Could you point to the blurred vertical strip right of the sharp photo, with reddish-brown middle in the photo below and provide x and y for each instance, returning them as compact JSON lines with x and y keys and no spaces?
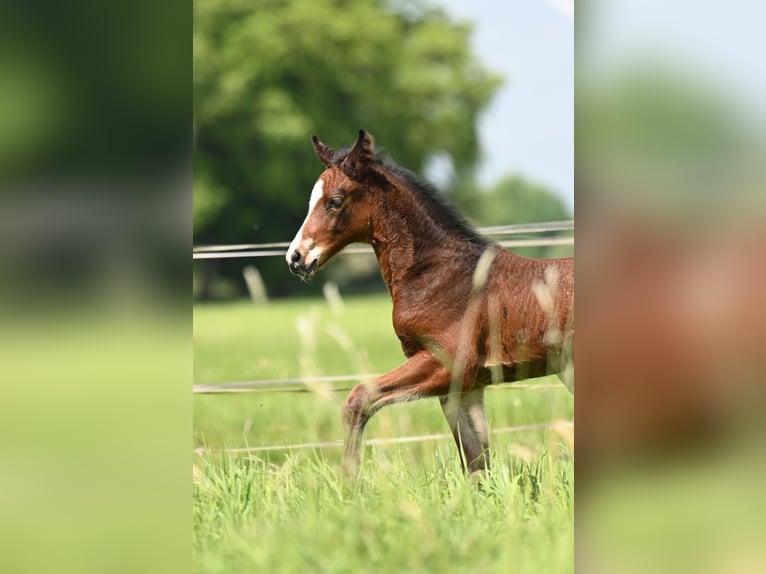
{"x":670,"y":243}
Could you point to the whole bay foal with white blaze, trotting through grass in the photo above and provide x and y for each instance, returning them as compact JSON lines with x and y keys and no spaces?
{"x":467,"y":312}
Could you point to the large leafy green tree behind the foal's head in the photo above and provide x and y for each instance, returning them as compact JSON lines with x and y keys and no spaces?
{"x":269,"y":74}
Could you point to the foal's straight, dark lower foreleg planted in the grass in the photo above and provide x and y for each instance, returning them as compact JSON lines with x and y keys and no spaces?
{"x":465,"y":414}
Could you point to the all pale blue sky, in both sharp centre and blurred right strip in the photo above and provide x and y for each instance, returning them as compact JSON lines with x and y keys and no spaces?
{"x":529,"y":127}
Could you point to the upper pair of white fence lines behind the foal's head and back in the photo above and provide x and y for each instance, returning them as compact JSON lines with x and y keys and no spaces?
{"x":273,"y":249}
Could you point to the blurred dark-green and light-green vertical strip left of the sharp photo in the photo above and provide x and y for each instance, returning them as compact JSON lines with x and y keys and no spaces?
{"x":95,"y":231}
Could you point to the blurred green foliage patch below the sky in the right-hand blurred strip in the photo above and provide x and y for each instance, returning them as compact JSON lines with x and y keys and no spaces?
{"x":665,"y":140}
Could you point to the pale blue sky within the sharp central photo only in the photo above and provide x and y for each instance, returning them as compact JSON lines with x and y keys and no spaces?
{"x":529,"y":127}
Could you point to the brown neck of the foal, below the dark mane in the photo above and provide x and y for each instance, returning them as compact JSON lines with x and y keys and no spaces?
{"x":407,"y":238}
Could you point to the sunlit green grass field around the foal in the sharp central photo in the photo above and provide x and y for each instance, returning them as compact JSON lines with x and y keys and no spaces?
{"x":411,"y":509}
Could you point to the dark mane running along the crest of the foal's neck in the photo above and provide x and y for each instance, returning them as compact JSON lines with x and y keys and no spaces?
{"x":434,"y":201}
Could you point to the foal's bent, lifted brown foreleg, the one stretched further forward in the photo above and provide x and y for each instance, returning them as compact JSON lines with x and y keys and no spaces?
{"x":421,"y":376}
